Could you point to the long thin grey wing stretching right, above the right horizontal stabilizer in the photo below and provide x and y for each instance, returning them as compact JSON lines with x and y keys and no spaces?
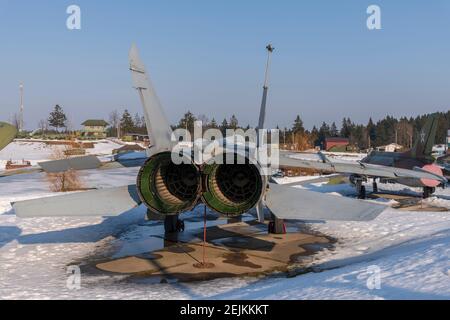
{"x":370,"y":170}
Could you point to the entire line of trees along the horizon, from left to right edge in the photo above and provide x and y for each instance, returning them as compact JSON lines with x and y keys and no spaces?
{"x":362,"y":136}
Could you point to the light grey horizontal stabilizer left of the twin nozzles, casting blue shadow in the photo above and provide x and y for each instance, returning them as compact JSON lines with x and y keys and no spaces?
{"x":102,"y":202}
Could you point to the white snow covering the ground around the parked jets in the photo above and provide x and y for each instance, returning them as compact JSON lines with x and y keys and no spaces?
{"x":405,"y":254}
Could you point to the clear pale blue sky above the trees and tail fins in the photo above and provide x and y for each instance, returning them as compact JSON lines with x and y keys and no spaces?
{"x":208,"y":56}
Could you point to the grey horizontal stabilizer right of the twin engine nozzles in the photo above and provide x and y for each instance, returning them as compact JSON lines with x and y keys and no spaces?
{"x":292,"y":203}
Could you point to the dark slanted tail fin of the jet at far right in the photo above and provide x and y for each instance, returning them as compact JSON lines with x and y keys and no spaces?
{"x":425,"y":138}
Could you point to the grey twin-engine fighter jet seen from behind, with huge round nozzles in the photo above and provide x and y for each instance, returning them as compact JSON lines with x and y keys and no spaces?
{"x":169,"y":189}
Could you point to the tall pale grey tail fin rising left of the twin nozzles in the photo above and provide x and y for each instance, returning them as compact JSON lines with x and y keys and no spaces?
{"x":158,"y":127}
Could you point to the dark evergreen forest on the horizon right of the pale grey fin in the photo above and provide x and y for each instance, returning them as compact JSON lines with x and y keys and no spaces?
{"x":362,"y":136}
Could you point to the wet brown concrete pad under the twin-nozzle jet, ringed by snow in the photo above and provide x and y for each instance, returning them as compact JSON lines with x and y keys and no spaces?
{"x":236,"y":249}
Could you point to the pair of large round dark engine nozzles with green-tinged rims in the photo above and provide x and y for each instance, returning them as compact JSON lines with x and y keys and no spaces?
{"x":230,"y":189}
